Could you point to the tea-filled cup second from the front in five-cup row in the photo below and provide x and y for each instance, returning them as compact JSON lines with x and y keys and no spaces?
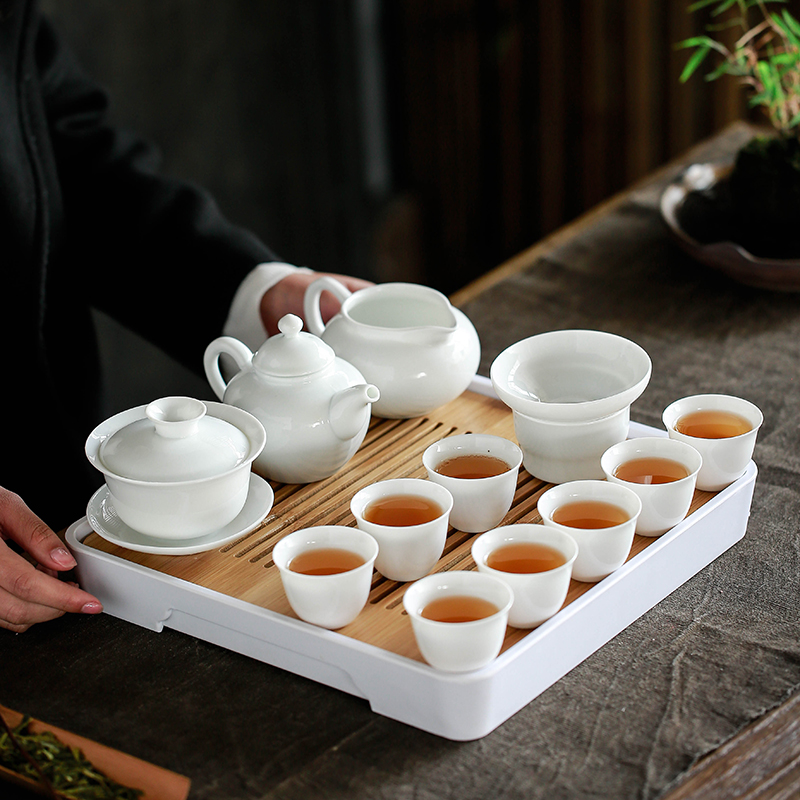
{"x":536,"y":561}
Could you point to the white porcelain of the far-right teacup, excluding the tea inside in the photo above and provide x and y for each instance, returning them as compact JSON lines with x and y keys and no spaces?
{"x":724,"y":459}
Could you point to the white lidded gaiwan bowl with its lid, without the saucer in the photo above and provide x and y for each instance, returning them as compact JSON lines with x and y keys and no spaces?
{"x":177,"y":468}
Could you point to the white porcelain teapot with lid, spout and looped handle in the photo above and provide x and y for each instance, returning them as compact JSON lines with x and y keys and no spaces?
{"x":314,"y":406}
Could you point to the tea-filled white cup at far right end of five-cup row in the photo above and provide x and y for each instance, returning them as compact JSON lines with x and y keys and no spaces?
{"x":722,"y":428}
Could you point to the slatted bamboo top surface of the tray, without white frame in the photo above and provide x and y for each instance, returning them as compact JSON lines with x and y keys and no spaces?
{"x":392,"y":449}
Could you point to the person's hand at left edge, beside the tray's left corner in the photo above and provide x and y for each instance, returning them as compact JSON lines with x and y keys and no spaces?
{"x":32,"y":592}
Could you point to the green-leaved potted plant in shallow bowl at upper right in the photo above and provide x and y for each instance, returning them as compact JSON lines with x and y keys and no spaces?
{"x":754,"y":205}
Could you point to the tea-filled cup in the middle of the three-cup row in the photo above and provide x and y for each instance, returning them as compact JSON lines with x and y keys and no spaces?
{"x":408,"y":517}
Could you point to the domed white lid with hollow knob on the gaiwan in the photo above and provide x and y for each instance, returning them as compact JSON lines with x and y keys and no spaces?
{"x":175,"y":441}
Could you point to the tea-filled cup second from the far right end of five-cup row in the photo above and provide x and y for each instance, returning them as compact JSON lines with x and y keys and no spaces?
{"x":662,"y":472}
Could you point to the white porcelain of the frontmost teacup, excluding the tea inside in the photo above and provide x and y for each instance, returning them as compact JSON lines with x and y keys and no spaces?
{"x":459,"y":646}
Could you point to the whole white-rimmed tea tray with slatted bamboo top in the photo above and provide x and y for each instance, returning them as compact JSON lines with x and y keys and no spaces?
{"x":233,"y":596}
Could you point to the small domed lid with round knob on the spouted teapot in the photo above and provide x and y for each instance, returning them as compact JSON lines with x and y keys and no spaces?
{"x":292,"y":353}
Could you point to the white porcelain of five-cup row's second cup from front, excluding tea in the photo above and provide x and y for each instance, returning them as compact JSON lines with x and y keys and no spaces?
{"x":537,"y":595}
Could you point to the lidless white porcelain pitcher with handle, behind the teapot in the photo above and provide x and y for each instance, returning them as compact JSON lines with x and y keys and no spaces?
{"x":405,"y":338}
